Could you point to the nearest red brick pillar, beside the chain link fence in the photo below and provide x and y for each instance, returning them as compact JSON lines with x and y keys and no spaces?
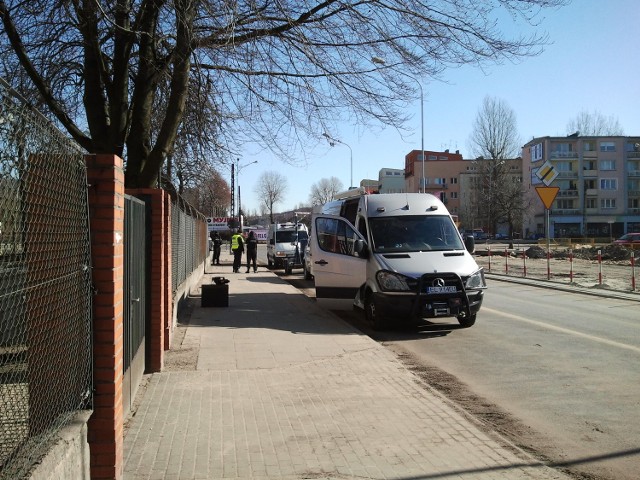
{"x":106,"y":204}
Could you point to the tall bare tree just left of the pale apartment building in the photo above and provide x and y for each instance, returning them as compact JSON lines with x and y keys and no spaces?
{"x":497,"y":196}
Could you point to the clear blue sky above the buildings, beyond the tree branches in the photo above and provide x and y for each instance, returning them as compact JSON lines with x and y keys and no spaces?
{"x":592,"y":64}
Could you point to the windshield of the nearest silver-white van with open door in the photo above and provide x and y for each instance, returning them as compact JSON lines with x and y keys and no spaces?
{"x":414,"y":233}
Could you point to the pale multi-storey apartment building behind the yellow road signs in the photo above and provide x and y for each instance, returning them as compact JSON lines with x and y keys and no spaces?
{"x":598,"y":180}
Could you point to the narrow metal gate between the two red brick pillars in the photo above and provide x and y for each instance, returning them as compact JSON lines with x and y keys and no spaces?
{"x":135,"y":301}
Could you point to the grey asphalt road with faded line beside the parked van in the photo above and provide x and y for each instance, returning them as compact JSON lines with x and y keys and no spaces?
{"x":556,"y":372}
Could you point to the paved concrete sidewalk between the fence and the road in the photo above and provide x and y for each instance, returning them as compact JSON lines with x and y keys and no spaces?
{"x":283,"y":389}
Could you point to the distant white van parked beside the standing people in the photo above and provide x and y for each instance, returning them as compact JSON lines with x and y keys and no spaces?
{"x":285,"y":245}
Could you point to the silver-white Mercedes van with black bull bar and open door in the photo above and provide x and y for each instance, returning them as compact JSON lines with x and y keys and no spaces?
{"x":398,"y":256}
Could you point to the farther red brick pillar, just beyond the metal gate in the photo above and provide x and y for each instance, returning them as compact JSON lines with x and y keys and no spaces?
{"x":157,"y":298}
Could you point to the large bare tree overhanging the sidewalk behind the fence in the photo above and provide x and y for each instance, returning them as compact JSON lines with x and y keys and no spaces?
{"x":122,"y":76}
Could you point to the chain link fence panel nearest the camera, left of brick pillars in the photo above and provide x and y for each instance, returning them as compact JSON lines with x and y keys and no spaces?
{"x":45,"y":284}
